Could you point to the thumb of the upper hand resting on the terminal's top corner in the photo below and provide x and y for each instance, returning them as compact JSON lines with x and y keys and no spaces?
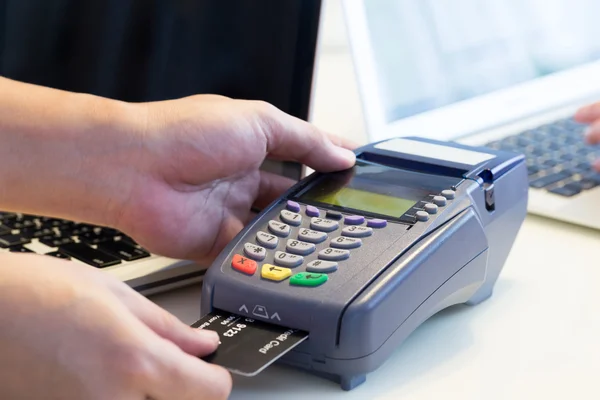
{"x":292,"y":139}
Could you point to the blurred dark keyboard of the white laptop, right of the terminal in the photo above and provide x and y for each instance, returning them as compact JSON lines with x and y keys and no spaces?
{"x":558,"y":160}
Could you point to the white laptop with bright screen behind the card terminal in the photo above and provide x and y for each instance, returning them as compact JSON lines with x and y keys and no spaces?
{"x":504,"y":74}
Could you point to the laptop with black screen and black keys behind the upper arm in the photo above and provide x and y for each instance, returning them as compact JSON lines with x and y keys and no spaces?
{"x":262,"y":51}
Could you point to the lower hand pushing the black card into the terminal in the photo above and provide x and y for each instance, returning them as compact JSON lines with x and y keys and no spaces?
{"x":74,"y":332}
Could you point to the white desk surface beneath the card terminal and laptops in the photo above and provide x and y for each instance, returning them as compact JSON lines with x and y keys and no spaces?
{"x":538,"y":337}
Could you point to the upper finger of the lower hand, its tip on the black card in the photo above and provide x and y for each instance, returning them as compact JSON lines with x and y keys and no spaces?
{"x":196,"y":342}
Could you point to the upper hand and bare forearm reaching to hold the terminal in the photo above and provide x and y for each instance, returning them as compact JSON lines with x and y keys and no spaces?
{"x":179,"y":176}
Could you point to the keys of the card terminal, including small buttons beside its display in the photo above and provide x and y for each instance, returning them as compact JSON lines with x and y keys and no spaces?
{"x":308,"y":248}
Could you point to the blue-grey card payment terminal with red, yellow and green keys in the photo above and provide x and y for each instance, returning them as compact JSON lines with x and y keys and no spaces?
{"x":360,"y":258}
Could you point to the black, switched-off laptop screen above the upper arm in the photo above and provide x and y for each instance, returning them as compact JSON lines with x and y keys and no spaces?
{"x":142,"y":50}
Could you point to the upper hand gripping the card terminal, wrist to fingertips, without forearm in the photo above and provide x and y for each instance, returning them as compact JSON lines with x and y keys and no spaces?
{"x":193,"y":181}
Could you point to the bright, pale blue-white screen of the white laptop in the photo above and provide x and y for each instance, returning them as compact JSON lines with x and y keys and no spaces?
{"x":433,"y":53}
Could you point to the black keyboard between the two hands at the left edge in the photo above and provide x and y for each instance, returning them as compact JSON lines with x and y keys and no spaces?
{"x":98,"y":246}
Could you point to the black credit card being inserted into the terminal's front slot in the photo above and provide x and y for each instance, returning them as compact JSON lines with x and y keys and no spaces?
{"x":248,"y":346}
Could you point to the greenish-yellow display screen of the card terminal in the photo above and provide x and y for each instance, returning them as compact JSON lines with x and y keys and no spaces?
{"x":370,"y":188}
